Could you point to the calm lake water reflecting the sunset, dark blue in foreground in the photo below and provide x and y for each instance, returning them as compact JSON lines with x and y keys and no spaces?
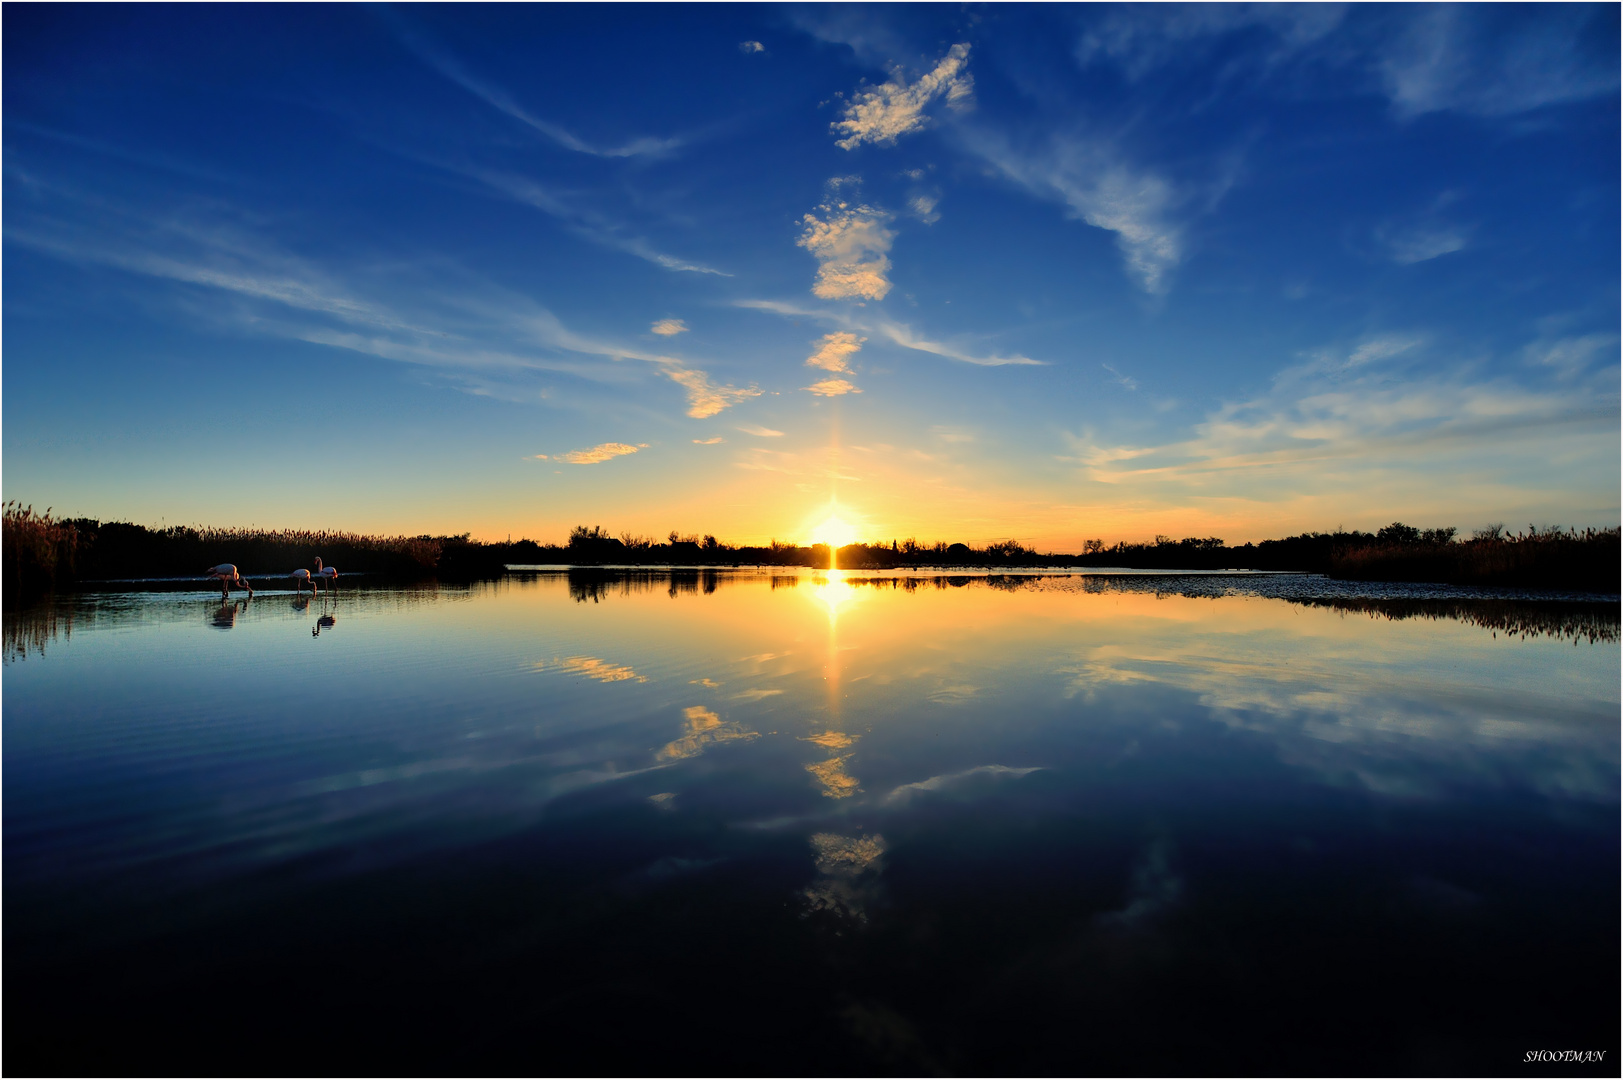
{"x":806,"y":824}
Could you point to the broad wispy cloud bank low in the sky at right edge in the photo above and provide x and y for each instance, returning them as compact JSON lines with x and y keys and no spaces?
{"x":1379,"y":430}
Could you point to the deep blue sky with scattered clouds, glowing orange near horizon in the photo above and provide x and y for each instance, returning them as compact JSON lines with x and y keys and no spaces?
{"x":965,"y":274}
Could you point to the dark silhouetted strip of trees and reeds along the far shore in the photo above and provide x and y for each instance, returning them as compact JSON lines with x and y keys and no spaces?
{"x":41,"y":551}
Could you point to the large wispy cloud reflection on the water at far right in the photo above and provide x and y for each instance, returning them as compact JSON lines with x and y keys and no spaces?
{"x":1390,"y":730}
